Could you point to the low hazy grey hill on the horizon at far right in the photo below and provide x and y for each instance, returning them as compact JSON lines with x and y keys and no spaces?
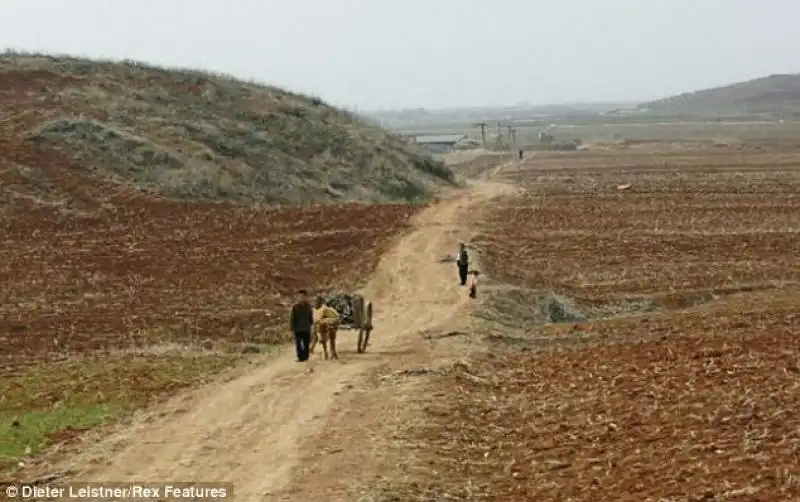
{"x":772,"y":94}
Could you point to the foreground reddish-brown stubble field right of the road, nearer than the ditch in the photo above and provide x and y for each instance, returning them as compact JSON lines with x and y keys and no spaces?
{"x":698,"y":406}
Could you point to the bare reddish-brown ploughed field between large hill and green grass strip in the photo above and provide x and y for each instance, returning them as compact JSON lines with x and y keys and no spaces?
{"x":164,"y":272}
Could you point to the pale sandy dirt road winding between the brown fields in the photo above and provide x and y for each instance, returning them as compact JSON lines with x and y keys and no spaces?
{"x":249,"y":430}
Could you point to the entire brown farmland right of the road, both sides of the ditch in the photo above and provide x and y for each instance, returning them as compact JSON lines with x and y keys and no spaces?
{"x":675,"y":377}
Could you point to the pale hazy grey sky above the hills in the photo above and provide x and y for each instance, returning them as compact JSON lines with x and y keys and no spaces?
{"x":432,"y":53}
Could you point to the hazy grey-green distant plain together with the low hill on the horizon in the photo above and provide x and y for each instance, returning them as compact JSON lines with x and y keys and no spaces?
{"x":748,"y":110}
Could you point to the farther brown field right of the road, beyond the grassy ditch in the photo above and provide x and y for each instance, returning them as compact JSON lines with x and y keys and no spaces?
{"x":718,"y":226}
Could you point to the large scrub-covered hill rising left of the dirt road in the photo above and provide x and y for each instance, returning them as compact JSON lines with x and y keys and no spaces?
{"x":194,"y":135}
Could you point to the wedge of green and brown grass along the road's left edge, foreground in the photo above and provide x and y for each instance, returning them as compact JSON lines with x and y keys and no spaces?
{"x":51,"y":403}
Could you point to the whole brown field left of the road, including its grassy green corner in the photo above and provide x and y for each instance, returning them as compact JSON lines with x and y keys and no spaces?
{"x":112,"y":298}
